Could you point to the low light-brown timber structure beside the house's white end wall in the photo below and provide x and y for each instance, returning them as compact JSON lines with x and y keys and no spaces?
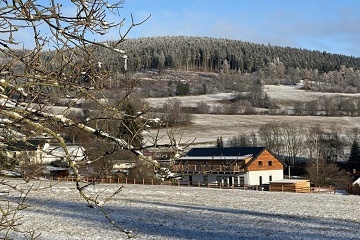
{"x":290,"y":185}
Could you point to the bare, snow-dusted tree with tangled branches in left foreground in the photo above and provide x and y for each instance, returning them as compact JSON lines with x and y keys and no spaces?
{"x":58,"y":60}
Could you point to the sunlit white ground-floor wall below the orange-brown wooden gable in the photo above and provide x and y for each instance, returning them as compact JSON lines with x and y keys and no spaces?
{"x":254,"y":176}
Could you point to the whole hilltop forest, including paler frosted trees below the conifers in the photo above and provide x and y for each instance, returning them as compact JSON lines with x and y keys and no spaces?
{"x":234,"y":59}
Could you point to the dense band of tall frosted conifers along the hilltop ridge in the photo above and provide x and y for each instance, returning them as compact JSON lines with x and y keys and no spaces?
{"x":209,"y":55}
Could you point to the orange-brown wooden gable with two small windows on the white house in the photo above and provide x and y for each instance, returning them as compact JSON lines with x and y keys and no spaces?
{"x":265,"y":157}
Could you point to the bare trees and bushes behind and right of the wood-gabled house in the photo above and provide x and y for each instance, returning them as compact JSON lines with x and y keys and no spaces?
{"x":325,"y":157}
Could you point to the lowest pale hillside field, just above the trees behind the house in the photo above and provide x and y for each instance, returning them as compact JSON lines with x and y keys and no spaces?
{"x":206,"y":128}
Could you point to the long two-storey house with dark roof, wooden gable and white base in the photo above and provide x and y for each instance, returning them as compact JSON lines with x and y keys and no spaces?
{"x":235,"y":166}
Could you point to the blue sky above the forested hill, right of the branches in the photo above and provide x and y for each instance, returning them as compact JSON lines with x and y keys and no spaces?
{"x":326,"y":25}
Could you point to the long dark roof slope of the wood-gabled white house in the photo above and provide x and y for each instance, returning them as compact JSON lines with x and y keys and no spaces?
{"x":231,"y":151}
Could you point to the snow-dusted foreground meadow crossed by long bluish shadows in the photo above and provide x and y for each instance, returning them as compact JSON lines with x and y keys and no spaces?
{"x":172,"y":212}
